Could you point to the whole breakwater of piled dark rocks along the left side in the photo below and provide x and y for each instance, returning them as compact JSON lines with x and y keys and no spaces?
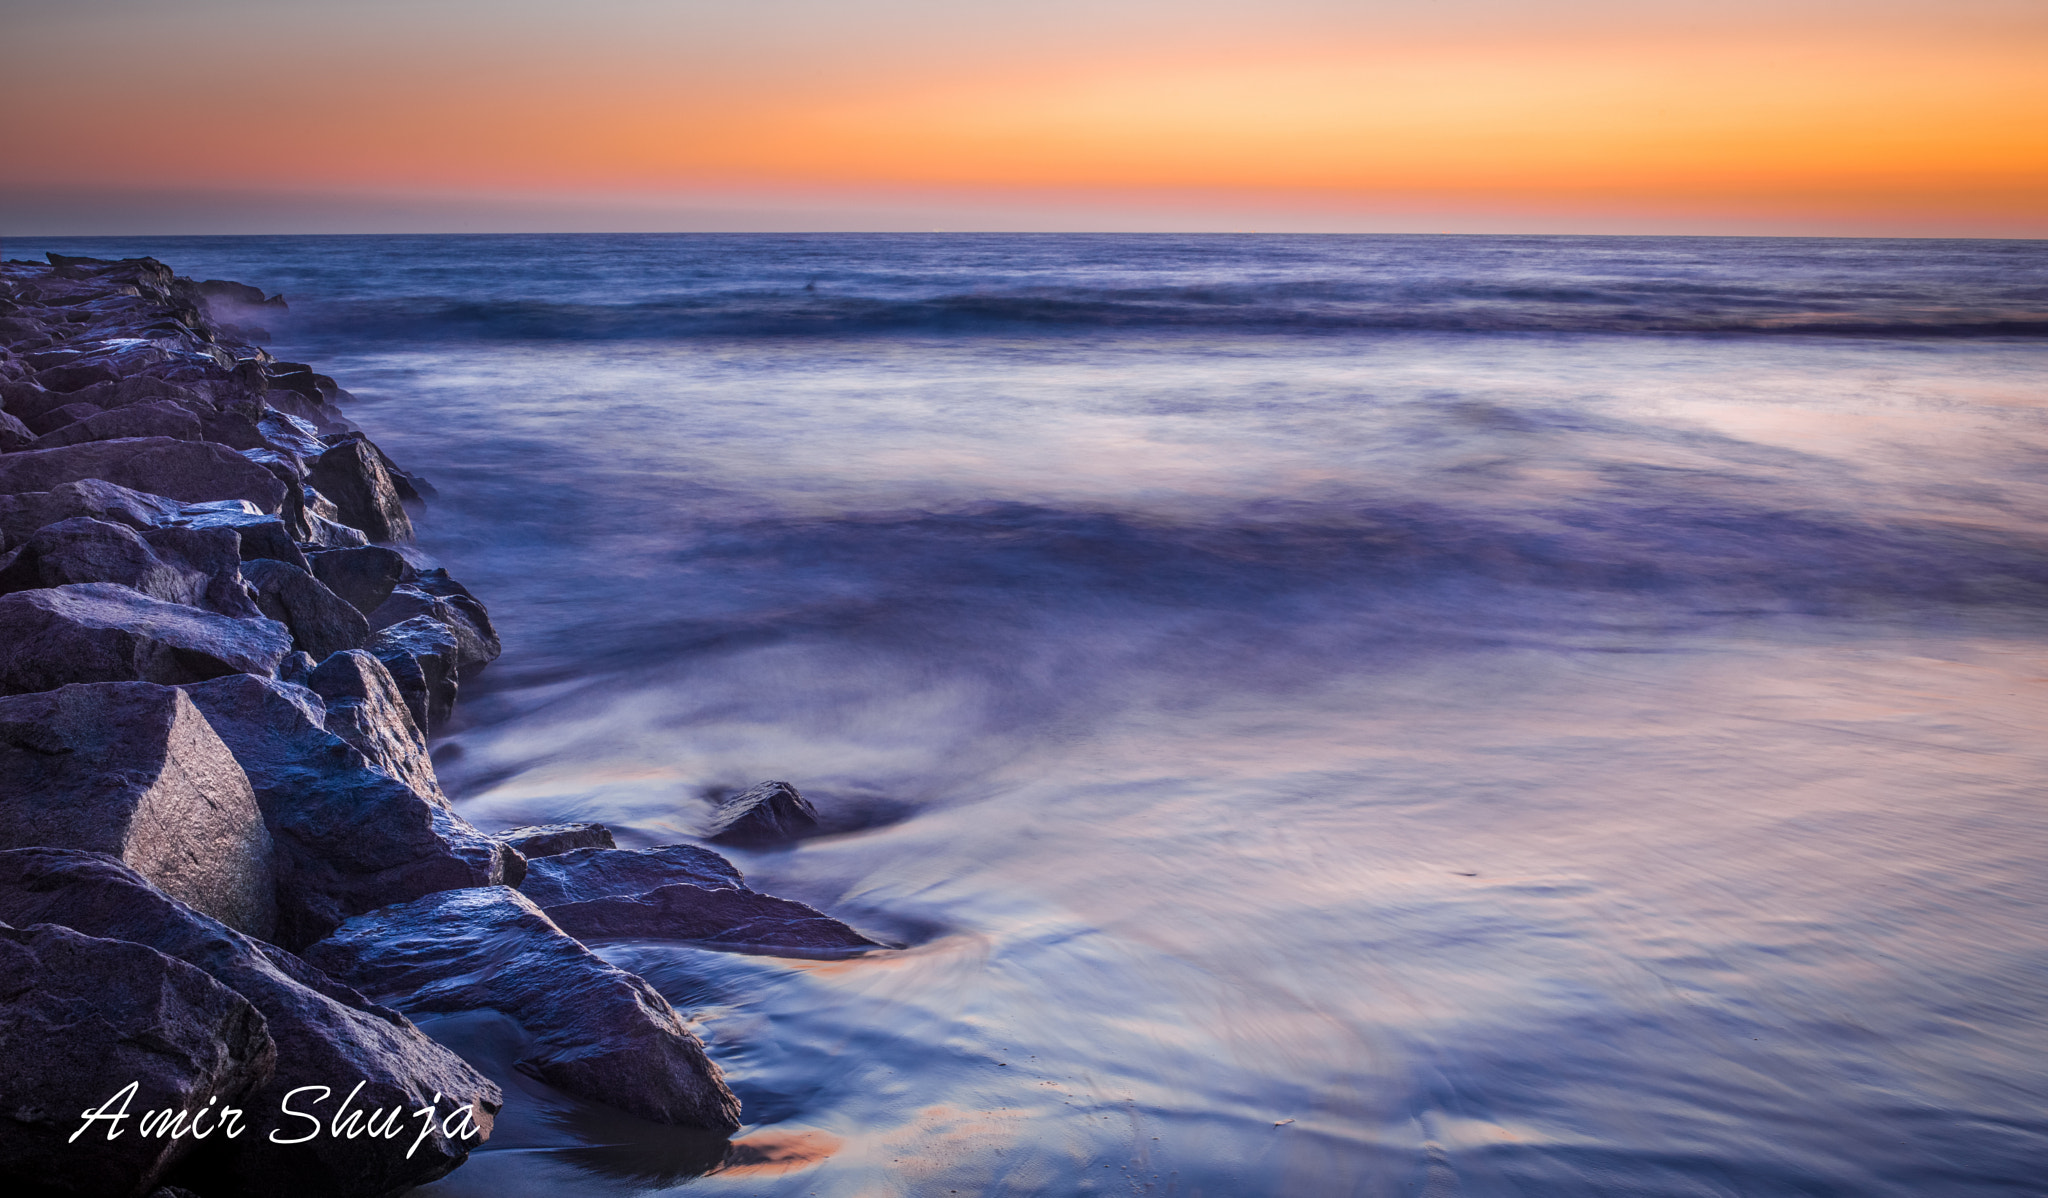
{"x":228,"y":875}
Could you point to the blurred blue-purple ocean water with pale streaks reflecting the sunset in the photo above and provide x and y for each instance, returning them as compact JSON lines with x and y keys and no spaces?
{"x":1320,"y":716}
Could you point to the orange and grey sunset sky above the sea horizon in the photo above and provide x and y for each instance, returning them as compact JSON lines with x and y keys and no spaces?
{"x":1832,"y":118}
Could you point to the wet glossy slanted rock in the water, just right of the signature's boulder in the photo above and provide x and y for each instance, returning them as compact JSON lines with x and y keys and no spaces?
{"x":599,"y":1031}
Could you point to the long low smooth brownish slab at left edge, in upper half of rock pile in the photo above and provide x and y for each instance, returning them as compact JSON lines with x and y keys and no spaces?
{"x":161,"y":466}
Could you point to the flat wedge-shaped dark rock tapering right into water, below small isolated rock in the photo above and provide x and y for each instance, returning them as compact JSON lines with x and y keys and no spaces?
{"x":679,"y":894}
